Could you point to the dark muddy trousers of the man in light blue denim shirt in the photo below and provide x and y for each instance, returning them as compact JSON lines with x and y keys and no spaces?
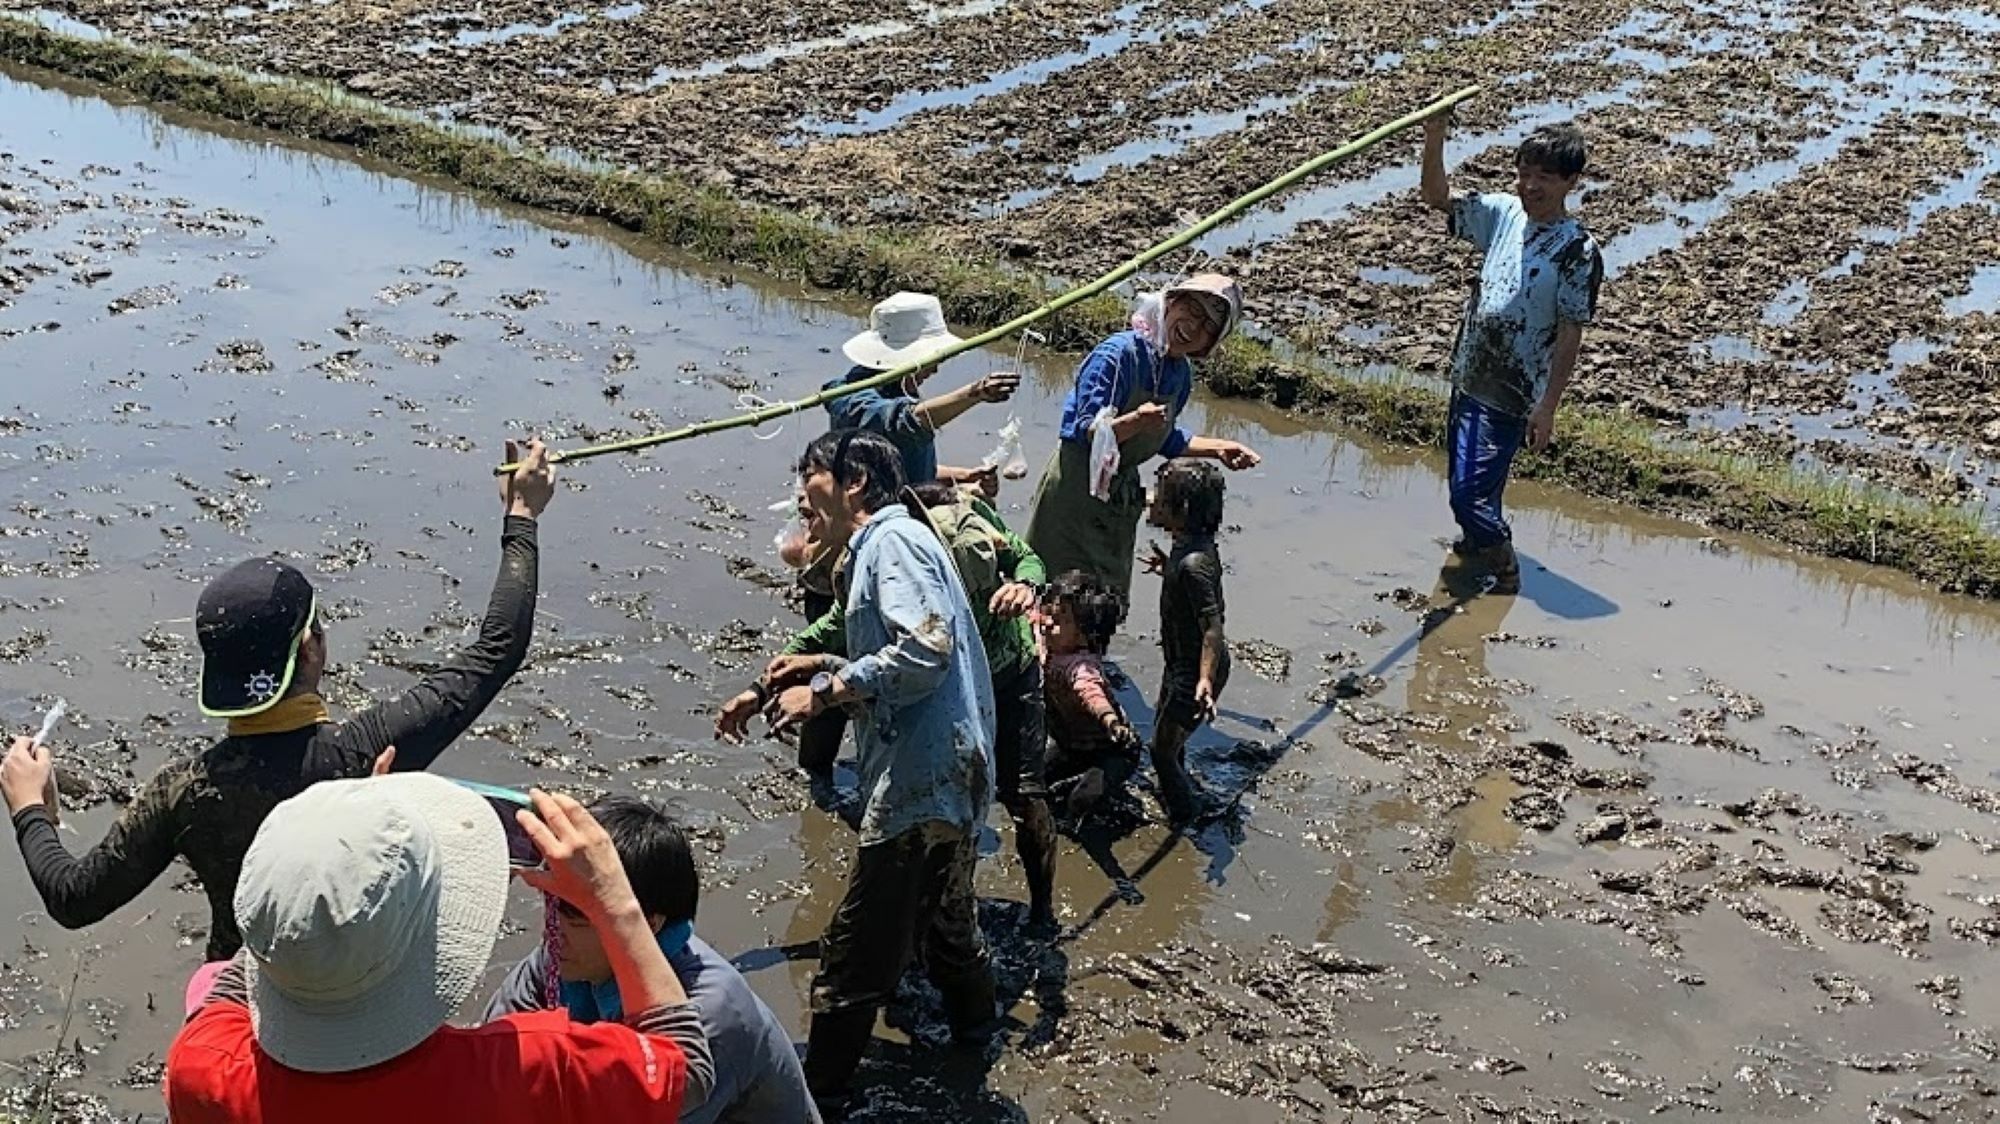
{"x":911,"y":893}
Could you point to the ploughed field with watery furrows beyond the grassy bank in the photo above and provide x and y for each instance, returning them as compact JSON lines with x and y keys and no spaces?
{"x":1799,"y":203}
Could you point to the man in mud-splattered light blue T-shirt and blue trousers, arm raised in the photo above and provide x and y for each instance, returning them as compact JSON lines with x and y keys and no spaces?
{"x":1523,"y":327}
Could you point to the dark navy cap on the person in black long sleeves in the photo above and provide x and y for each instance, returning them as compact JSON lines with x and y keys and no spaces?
{"x":251,"y":623}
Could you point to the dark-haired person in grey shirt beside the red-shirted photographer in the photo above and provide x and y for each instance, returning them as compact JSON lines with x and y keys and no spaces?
{"x":759,"y":1077}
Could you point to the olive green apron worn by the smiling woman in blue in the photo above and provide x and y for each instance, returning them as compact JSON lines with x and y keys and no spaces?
{"x":1071,"y":529}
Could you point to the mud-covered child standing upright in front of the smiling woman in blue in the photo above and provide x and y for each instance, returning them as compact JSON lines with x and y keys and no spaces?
{"x":1187,"y":503}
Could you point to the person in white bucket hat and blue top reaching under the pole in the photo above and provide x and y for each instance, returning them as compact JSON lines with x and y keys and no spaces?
{"x":901,"y":331}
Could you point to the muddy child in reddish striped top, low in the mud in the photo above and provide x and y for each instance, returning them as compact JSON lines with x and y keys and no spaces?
{"x":1097,"y":749}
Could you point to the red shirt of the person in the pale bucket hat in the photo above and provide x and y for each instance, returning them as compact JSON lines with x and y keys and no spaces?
{"x":529,"y":1069}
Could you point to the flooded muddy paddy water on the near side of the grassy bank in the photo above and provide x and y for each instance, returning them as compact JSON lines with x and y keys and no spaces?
{"x":1687,"y":831}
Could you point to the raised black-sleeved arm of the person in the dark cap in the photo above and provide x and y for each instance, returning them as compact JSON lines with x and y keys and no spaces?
{"x":437,"y":711}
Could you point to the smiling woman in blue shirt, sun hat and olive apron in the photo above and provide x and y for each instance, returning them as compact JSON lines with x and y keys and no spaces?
{"x":1135,"y":385}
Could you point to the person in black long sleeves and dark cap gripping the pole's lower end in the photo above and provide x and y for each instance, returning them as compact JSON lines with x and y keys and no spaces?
{"x":263,"y":657}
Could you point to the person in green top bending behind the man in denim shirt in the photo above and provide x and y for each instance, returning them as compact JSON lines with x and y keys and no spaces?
{"x":1001,"y":575}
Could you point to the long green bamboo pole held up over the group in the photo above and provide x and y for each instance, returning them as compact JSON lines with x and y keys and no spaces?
{"x":1053,"y":307}
